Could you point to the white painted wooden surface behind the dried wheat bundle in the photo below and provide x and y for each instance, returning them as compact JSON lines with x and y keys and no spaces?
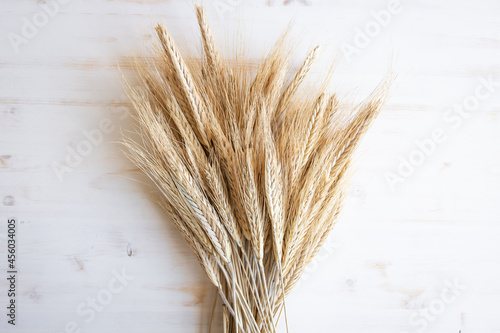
{"x":386,"y":262}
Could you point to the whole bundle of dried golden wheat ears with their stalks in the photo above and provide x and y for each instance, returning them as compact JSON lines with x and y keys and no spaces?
{"x":252,"y":167}
